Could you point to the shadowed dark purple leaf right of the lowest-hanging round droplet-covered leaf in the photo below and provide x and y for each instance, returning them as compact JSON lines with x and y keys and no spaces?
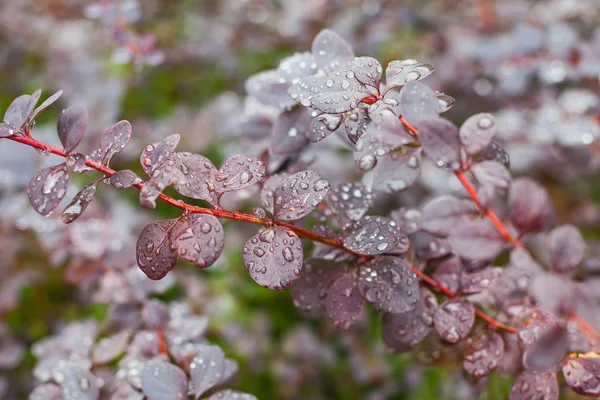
{"x":310,"y":290}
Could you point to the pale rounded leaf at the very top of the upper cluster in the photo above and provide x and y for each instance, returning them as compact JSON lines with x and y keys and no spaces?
{"x":330,"y":50}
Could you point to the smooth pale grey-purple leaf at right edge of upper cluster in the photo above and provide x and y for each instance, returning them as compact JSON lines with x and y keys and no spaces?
{"x":417,"y":102}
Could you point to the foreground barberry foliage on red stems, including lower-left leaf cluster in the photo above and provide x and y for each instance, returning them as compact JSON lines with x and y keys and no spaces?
{"x":436,"y":273}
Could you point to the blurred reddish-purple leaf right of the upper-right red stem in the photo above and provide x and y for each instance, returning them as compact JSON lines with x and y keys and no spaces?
{"x":529,"y":206}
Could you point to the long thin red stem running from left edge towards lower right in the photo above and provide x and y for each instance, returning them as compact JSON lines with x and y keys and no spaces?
{"x":222,"y":213}
